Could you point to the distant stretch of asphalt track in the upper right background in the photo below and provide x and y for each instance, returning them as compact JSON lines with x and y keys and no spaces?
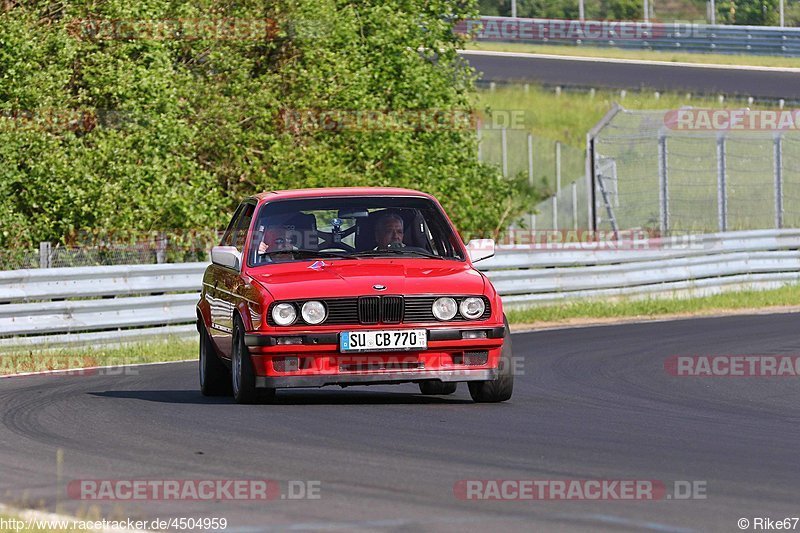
{"x":765,"y":83}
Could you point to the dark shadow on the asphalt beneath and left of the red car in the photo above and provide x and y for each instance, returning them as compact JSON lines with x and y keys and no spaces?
{"x":314,"y":397}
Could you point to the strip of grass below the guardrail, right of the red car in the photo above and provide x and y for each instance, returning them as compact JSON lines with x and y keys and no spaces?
{"x":649,"y":308}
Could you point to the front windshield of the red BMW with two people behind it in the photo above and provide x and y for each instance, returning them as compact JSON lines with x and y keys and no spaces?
{"x":354,"y":228}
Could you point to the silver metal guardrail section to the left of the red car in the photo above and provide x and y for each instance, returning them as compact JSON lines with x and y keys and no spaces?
{"x":97,"y":305}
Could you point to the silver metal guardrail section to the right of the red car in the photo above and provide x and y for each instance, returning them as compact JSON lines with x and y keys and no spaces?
{"x":698,"y":266}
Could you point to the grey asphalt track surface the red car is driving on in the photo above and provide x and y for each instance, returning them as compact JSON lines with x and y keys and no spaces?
{"x":593,"y":403}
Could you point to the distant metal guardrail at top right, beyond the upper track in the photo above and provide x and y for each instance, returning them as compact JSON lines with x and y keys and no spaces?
{"x":677,"y":36}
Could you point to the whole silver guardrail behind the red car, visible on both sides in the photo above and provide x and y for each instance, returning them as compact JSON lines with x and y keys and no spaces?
{"x":106,"y":305}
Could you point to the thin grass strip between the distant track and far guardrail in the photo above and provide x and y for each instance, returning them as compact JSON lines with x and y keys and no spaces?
{"x":651,"y":55}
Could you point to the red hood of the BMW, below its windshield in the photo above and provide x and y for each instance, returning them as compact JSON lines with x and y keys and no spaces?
{"x":341,"y":278}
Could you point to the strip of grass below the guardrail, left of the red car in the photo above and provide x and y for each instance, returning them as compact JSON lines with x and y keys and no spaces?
{"x":64,"y":358}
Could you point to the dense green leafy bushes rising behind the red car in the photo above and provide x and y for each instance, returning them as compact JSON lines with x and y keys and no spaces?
{"x":171,"y":132}
